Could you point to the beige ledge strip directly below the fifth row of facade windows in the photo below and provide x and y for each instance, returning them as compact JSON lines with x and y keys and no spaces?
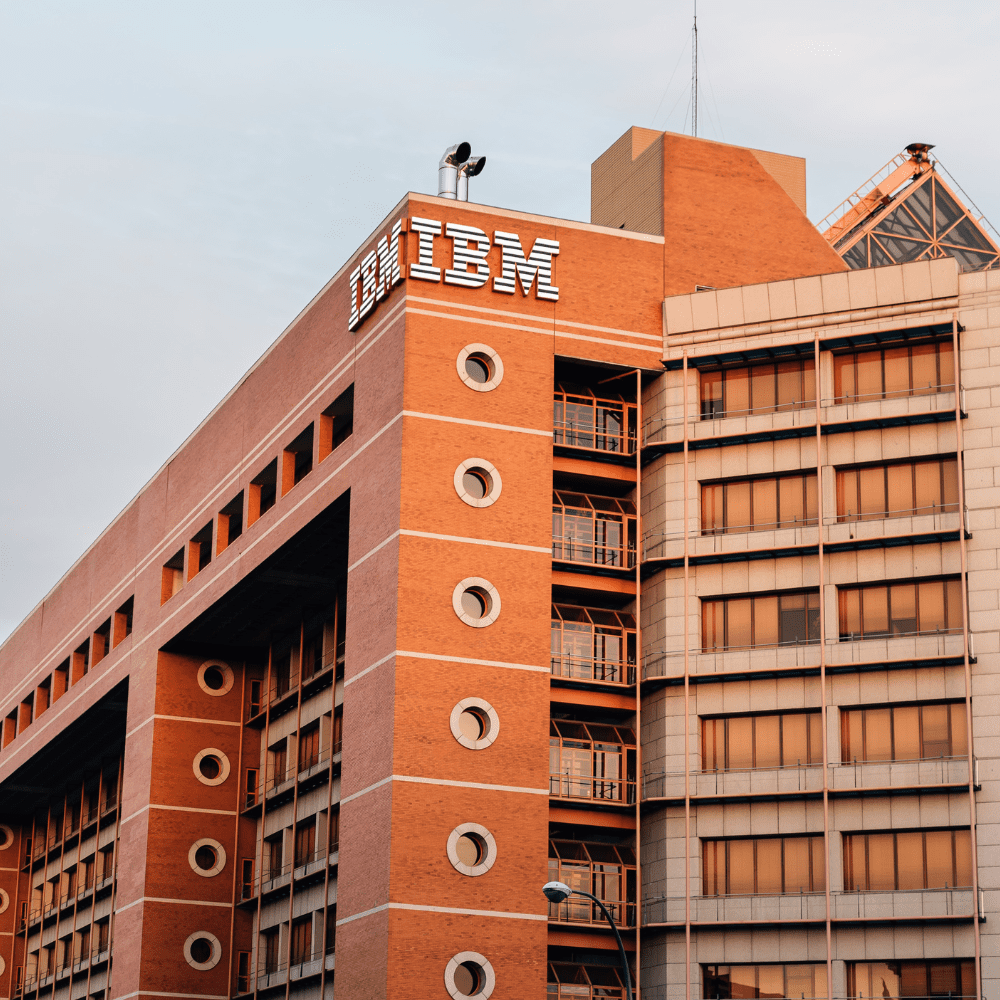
{"x":917,"y":904}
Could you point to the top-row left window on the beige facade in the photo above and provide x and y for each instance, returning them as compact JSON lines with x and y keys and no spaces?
{"x":736,"y":392}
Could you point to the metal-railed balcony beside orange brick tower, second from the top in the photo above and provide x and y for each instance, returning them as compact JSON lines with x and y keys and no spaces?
{"x":593,"y":531}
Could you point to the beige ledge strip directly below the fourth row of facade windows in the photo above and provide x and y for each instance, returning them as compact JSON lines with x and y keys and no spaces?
{"x":844,"y":778}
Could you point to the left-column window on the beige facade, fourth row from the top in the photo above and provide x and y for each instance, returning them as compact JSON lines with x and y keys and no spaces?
{"x":749,"y":741}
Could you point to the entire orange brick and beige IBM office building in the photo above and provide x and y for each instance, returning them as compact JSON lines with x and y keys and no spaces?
{"x":655,"y":555}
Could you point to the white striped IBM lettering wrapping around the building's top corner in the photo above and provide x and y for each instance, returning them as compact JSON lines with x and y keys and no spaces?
{"x":380,"y":271}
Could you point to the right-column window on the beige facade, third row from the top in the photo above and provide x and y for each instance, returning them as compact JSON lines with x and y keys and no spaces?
{"x":879,"y":611}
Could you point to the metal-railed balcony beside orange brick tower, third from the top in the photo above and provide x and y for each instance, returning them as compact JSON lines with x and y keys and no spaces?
{"x":593,"y":644}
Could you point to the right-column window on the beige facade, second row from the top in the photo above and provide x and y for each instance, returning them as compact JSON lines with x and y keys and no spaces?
{"x":902,"y":489}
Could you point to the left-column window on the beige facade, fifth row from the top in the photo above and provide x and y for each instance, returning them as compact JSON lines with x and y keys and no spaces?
{"x":763,"y":866}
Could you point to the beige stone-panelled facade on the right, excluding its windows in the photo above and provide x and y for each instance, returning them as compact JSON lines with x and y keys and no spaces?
{"x":687,"y":801}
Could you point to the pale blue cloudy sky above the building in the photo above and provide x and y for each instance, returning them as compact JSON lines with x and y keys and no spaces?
{"x":178,"y":178}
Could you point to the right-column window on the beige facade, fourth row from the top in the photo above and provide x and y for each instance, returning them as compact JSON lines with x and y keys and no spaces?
{"x":903,"y":732}
